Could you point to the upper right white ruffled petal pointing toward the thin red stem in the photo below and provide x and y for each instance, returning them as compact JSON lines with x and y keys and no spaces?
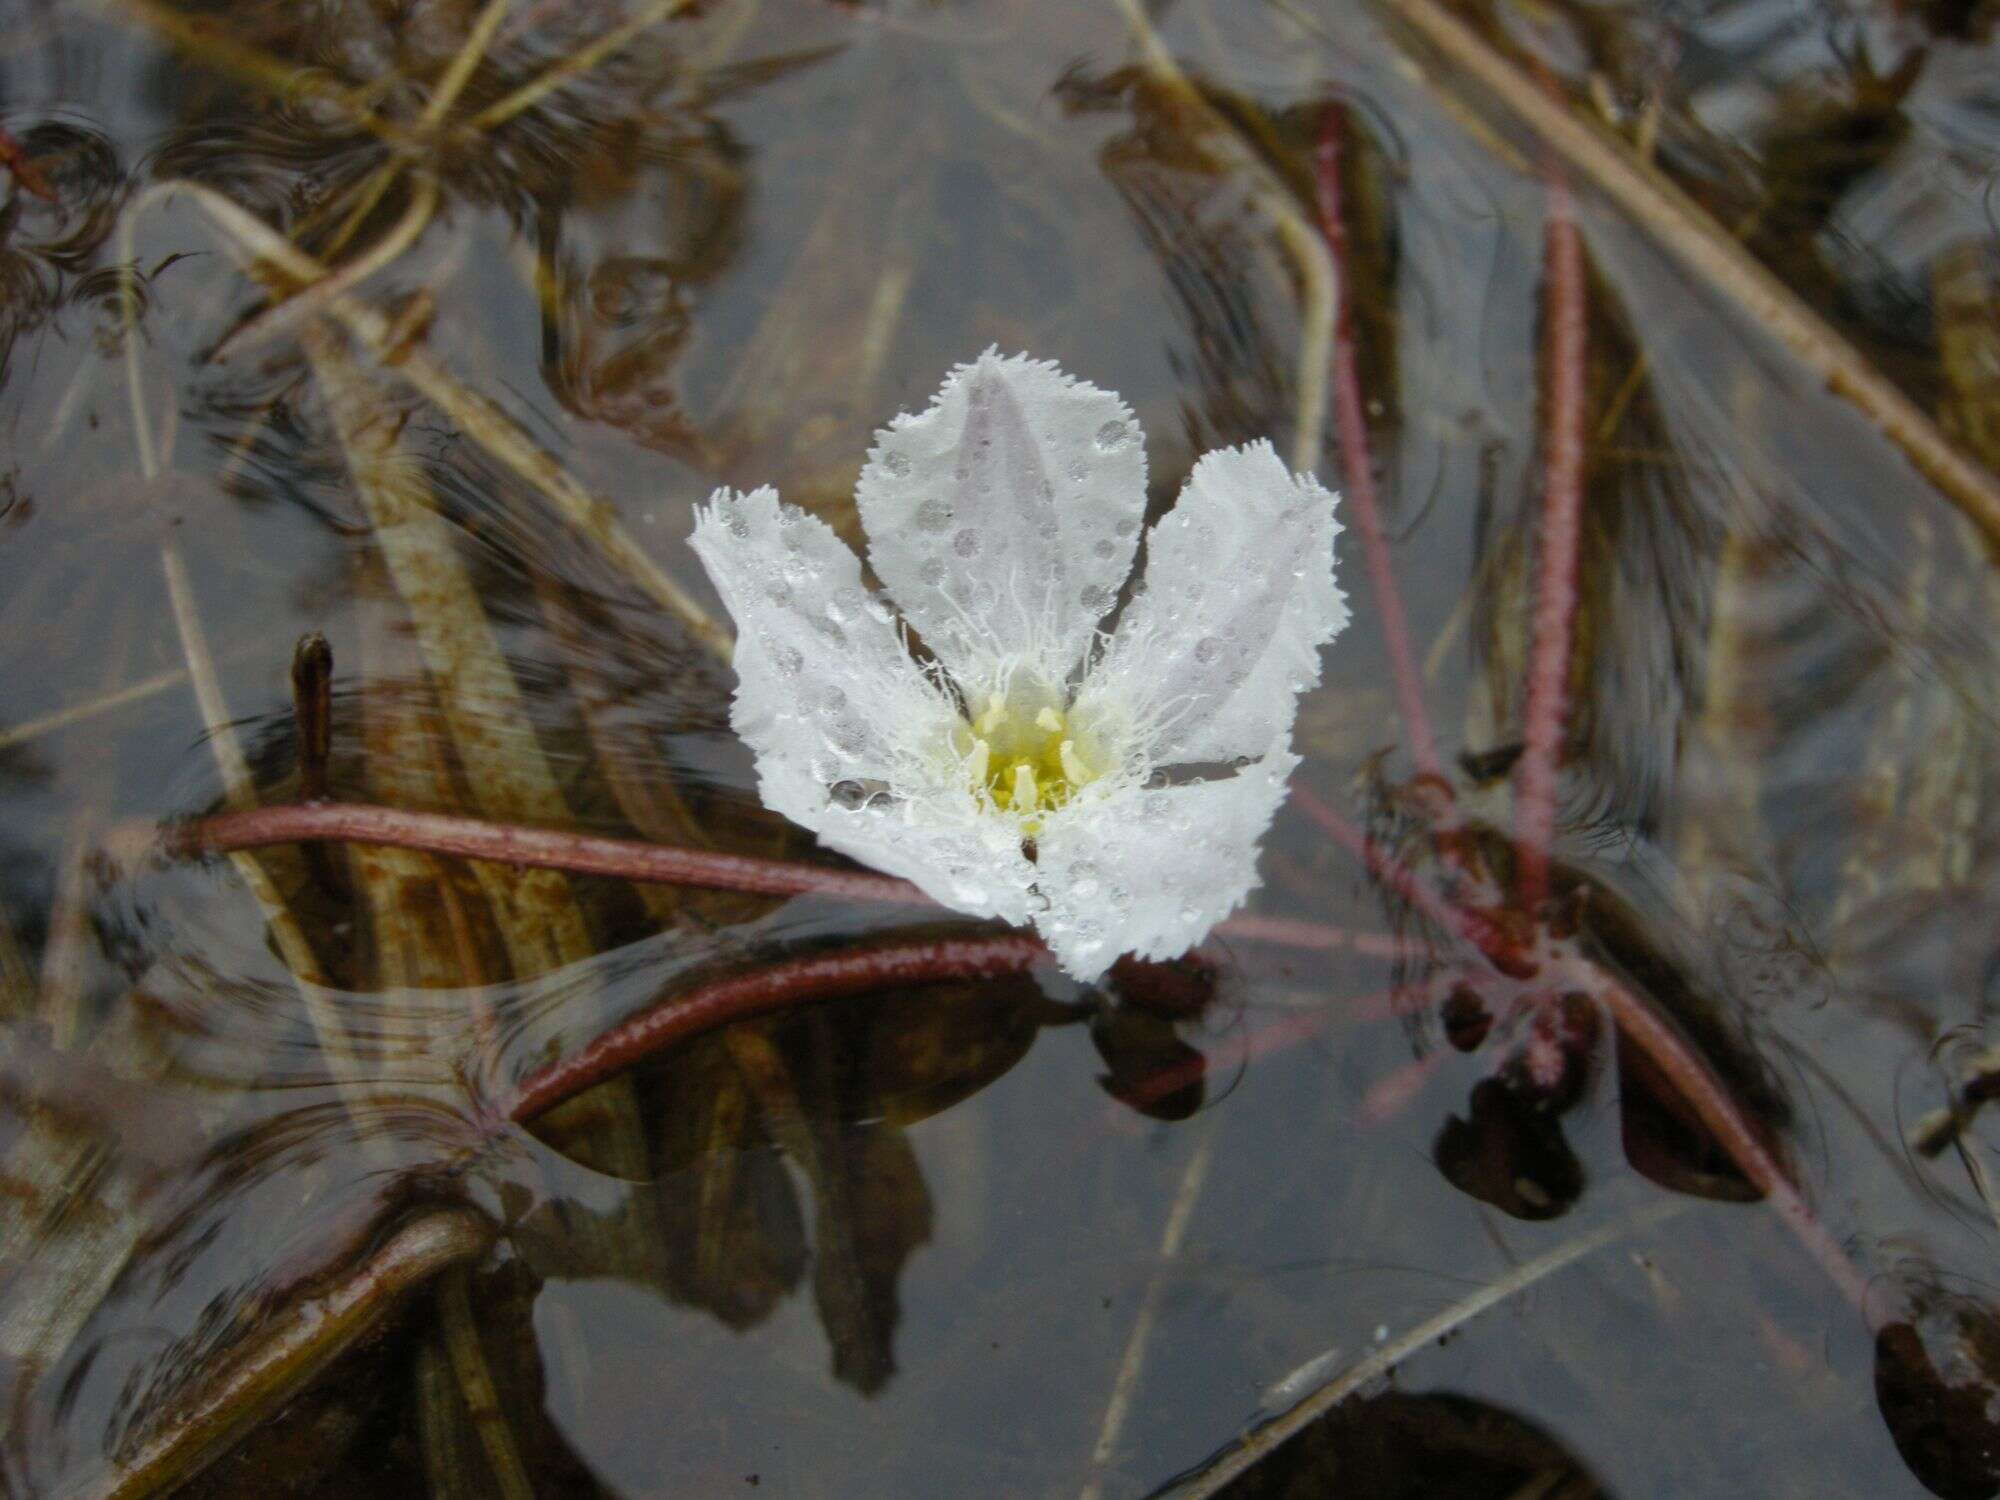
{"x":1227,"y":629}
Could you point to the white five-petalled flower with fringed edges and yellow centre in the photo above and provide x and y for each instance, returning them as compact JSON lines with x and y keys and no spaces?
{"x":1107,"y":789}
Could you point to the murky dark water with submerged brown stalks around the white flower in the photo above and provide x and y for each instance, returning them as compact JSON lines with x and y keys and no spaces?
{"x":267,"y":1229}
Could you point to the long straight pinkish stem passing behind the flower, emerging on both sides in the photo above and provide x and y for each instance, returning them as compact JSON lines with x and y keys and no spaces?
{"x":631,"y":859}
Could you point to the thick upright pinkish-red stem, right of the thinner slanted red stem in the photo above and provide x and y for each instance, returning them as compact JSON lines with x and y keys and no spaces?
{"x":1563,"y":503}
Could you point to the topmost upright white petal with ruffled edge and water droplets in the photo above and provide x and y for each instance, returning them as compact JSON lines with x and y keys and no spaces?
{"x":1005,"y":517}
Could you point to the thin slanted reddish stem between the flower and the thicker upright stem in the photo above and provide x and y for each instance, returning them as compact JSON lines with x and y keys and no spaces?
{"x":1351,"y":425}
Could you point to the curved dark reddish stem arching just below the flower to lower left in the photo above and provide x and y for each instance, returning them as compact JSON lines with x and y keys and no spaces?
{"x":779,"y":987}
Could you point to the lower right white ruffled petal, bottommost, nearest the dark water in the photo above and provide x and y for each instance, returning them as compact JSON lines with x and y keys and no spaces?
{"x":1151,"y":871}
